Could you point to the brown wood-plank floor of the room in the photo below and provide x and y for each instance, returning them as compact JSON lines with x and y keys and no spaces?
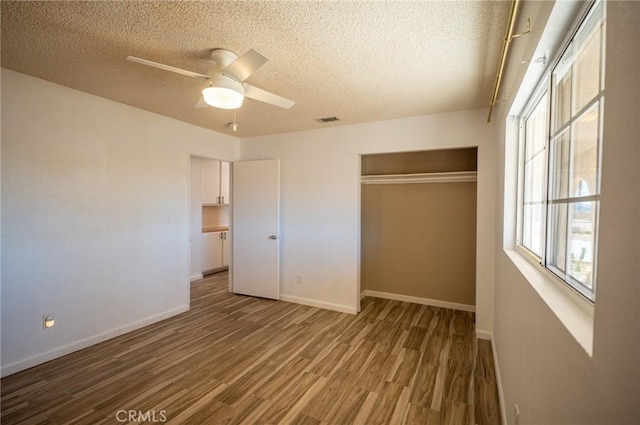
{"x":240,"y":360}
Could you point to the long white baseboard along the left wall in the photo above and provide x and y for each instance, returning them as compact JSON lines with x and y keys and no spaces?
{"x":86,"y":342}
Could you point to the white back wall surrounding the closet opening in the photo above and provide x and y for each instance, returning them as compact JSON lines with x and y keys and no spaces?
{"x":320,"y":204}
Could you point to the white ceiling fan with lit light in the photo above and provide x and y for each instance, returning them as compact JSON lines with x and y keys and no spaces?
{"x":227,"y":88}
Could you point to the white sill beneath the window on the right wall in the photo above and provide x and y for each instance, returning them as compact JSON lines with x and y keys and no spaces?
{"x":575,"y":314}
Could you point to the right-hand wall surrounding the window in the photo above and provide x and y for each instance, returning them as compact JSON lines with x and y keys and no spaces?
{"x":543,"y":368}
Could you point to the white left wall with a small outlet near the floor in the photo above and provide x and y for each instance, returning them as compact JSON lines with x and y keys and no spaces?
{"x":95,"y":217}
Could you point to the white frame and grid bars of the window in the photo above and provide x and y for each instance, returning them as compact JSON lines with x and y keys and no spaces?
{"x":547,"y":87}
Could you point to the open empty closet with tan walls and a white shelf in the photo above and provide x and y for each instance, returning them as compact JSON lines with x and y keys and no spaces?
{"x":418,"y":227}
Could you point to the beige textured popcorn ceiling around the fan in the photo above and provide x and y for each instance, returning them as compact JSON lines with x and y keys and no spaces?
{"x":360,"y":61}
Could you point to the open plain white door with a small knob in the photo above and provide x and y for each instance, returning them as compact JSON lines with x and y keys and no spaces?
{"x":255,"y":219}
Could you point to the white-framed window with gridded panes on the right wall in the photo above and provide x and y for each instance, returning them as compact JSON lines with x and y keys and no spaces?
{"x":561,"y":141}
